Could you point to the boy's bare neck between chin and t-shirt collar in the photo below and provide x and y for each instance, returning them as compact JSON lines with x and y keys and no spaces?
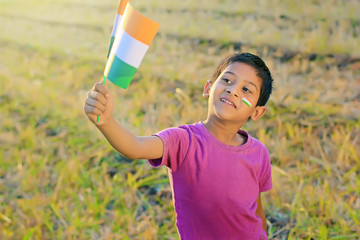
{"x":225,"y":132}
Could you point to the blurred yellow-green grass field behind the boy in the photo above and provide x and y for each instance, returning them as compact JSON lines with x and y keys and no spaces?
{"x":60,"y":179}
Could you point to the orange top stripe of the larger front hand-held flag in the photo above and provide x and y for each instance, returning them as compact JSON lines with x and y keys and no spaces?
{"x":138,"y":26}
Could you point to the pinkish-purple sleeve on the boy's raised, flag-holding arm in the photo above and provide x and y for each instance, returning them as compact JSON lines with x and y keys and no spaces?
{"x":176,"y":145}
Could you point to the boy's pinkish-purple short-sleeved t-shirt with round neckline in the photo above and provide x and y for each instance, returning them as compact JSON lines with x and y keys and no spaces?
{"x":214,"y":185}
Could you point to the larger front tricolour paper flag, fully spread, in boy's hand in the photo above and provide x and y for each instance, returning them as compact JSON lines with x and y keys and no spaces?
{"x":133,"y":37}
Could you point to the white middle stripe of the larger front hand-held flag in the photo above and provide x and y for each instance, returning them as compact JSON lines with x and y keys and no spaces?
{"x":129,"y":49}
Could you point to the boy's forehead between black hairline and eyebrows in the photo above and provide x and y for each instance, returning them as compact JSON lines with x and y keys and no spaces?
{"x":242,"y":71}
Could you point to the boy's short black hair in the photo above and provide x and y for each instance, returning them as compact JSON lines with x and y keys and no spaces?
{"x":258,"y":64}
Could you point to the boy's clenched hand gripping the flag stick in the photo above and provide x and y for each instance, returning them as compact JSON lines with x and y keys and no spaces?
{"x":99,"y":102}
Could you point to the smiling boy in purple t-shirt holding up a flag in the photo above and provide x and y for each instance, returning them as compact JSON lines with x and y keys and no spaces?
{"x":216,"y":170}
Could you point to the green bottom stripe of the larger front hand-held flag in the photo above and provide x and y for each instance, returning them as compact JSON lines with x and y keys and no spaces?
{"x":121,"y":73}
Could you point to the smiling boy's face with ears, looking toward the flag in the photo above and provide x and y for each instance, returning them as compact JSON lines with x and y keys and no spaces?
{"x":236,"y":82}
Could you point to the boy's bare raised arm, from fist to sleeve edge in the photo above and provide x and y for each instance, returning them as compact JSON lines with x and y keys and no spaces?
{"x":101,"y":102}
